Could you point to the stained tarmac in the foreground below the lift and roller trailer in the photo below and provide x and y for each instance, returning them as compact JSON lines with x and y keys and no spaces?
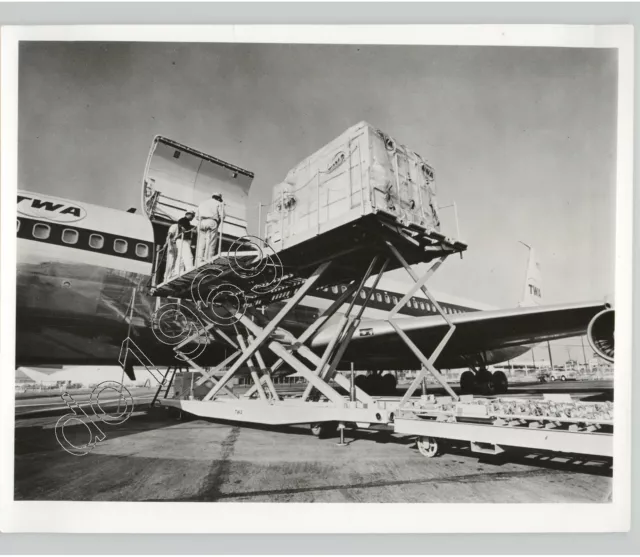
{"x":154,"y":458}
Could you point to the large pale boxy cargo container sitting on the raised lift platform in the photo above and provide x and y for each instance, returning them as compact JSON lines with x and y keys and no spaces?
{"x":362,"y":171}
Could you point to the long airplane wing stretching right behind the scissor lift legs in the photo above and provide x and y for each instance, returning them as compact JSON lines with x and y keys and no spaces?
{"x":481,"y":337}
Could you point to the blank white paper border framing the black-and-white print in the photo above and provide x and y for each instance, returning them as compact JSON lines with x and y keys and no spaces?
{"x":122,"y":517}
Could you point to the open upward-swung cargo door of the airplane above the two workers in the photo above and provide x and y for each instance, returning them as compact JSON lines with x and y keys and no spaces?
{"x":177,"y":178}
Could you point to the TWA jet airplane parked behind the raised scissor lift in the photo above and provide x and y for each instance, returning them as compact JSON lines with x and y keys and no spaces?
{"x":84,"y":274}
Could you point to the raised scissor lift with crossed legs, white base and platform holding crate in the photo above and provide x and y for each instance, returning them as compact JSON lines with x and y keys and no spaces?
{"x":369,"y":247}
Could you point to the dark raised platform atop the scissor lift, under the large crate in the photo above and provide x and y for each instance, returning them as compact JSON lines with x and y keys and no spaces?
{"x":350,"y":249}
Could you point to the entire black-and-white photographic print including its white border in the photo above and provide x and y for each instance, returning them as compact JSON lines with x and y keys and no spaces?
{"x":316,"y":271}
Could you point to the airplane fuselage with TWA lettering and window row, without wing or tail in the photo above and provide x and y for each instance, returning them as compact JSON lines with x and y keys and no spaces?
{"x":83,"y":275}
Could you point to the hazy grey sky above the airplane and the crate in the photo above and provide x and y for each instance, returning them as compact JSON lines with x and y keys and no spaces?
{"x":522,"y":139}
